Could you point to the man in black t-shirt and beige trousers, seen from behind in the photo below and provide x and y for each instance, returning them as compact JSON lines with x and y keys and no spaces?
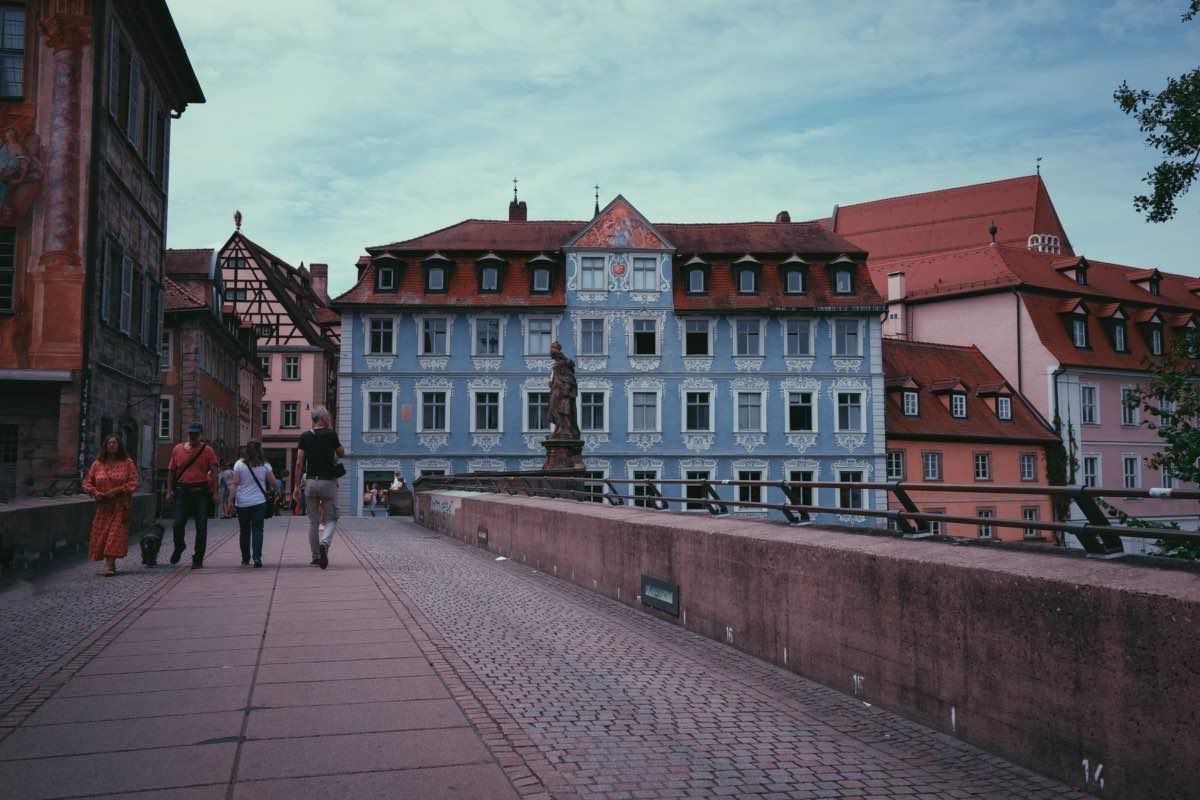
{"x":317,"y":466}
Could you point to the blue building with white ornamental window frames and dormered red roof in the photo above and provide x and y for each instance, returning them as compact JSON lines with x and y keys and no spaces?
{"x":734,"y":351}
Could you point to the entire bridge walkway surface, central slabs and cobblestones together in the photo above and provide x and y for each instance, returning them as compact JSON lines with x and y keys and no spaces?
{"x":417,"y":667}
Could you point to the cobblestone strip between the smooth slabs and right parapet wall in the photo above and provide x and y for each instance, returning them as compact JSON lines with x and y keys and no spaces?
{"x":596,"y":700}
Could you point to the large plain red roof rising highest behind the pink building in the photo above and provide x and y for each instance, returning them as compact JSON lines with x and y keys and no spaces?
{"x":953,"y":219}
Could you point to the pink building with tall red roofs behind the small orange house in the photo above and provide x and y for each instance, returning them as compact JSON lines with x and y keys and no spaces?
{"x":1069,"y":333}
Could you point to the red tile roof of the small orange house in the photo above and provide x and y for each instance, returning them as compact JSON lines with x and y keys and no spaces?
{"x":935,"y":365}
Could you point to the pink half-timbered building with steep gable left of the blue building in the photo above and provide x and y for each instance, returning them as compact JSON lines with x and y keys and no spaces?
{"x":298,"y":340}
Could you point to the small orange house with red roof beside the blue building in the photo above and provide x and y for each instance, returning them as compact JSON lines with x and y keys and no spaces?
{"x":953,"y":419}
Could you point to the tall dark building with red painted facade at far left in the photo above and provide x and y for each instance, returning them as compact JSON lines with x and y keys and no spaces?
{"x":88,"y":93}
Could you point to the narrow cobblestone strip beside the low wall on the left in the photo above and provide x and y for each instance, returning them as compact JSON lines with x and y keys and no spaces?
{"x":47,"y":612}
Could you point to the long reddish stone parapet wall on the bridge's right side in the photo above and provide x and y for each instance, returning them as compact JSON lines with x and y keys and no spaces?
{"x":1083,"y":670}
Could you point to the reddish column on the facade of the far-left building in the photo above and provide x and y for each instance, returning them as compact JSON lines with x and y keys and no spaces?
{"x":67,"y":37}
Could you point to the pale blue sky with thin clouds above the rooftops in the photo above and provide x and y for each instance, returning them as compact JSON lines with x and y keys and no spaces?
{"x":335,"y":125}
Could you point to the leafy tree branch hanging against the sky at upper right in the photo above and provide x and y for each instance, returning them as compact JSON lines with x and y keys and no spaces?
{"x":1171,"y":119}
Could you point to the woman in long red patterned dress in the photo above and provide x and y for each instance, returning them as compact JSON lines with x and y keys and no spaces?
{"x":112,"y":480}
